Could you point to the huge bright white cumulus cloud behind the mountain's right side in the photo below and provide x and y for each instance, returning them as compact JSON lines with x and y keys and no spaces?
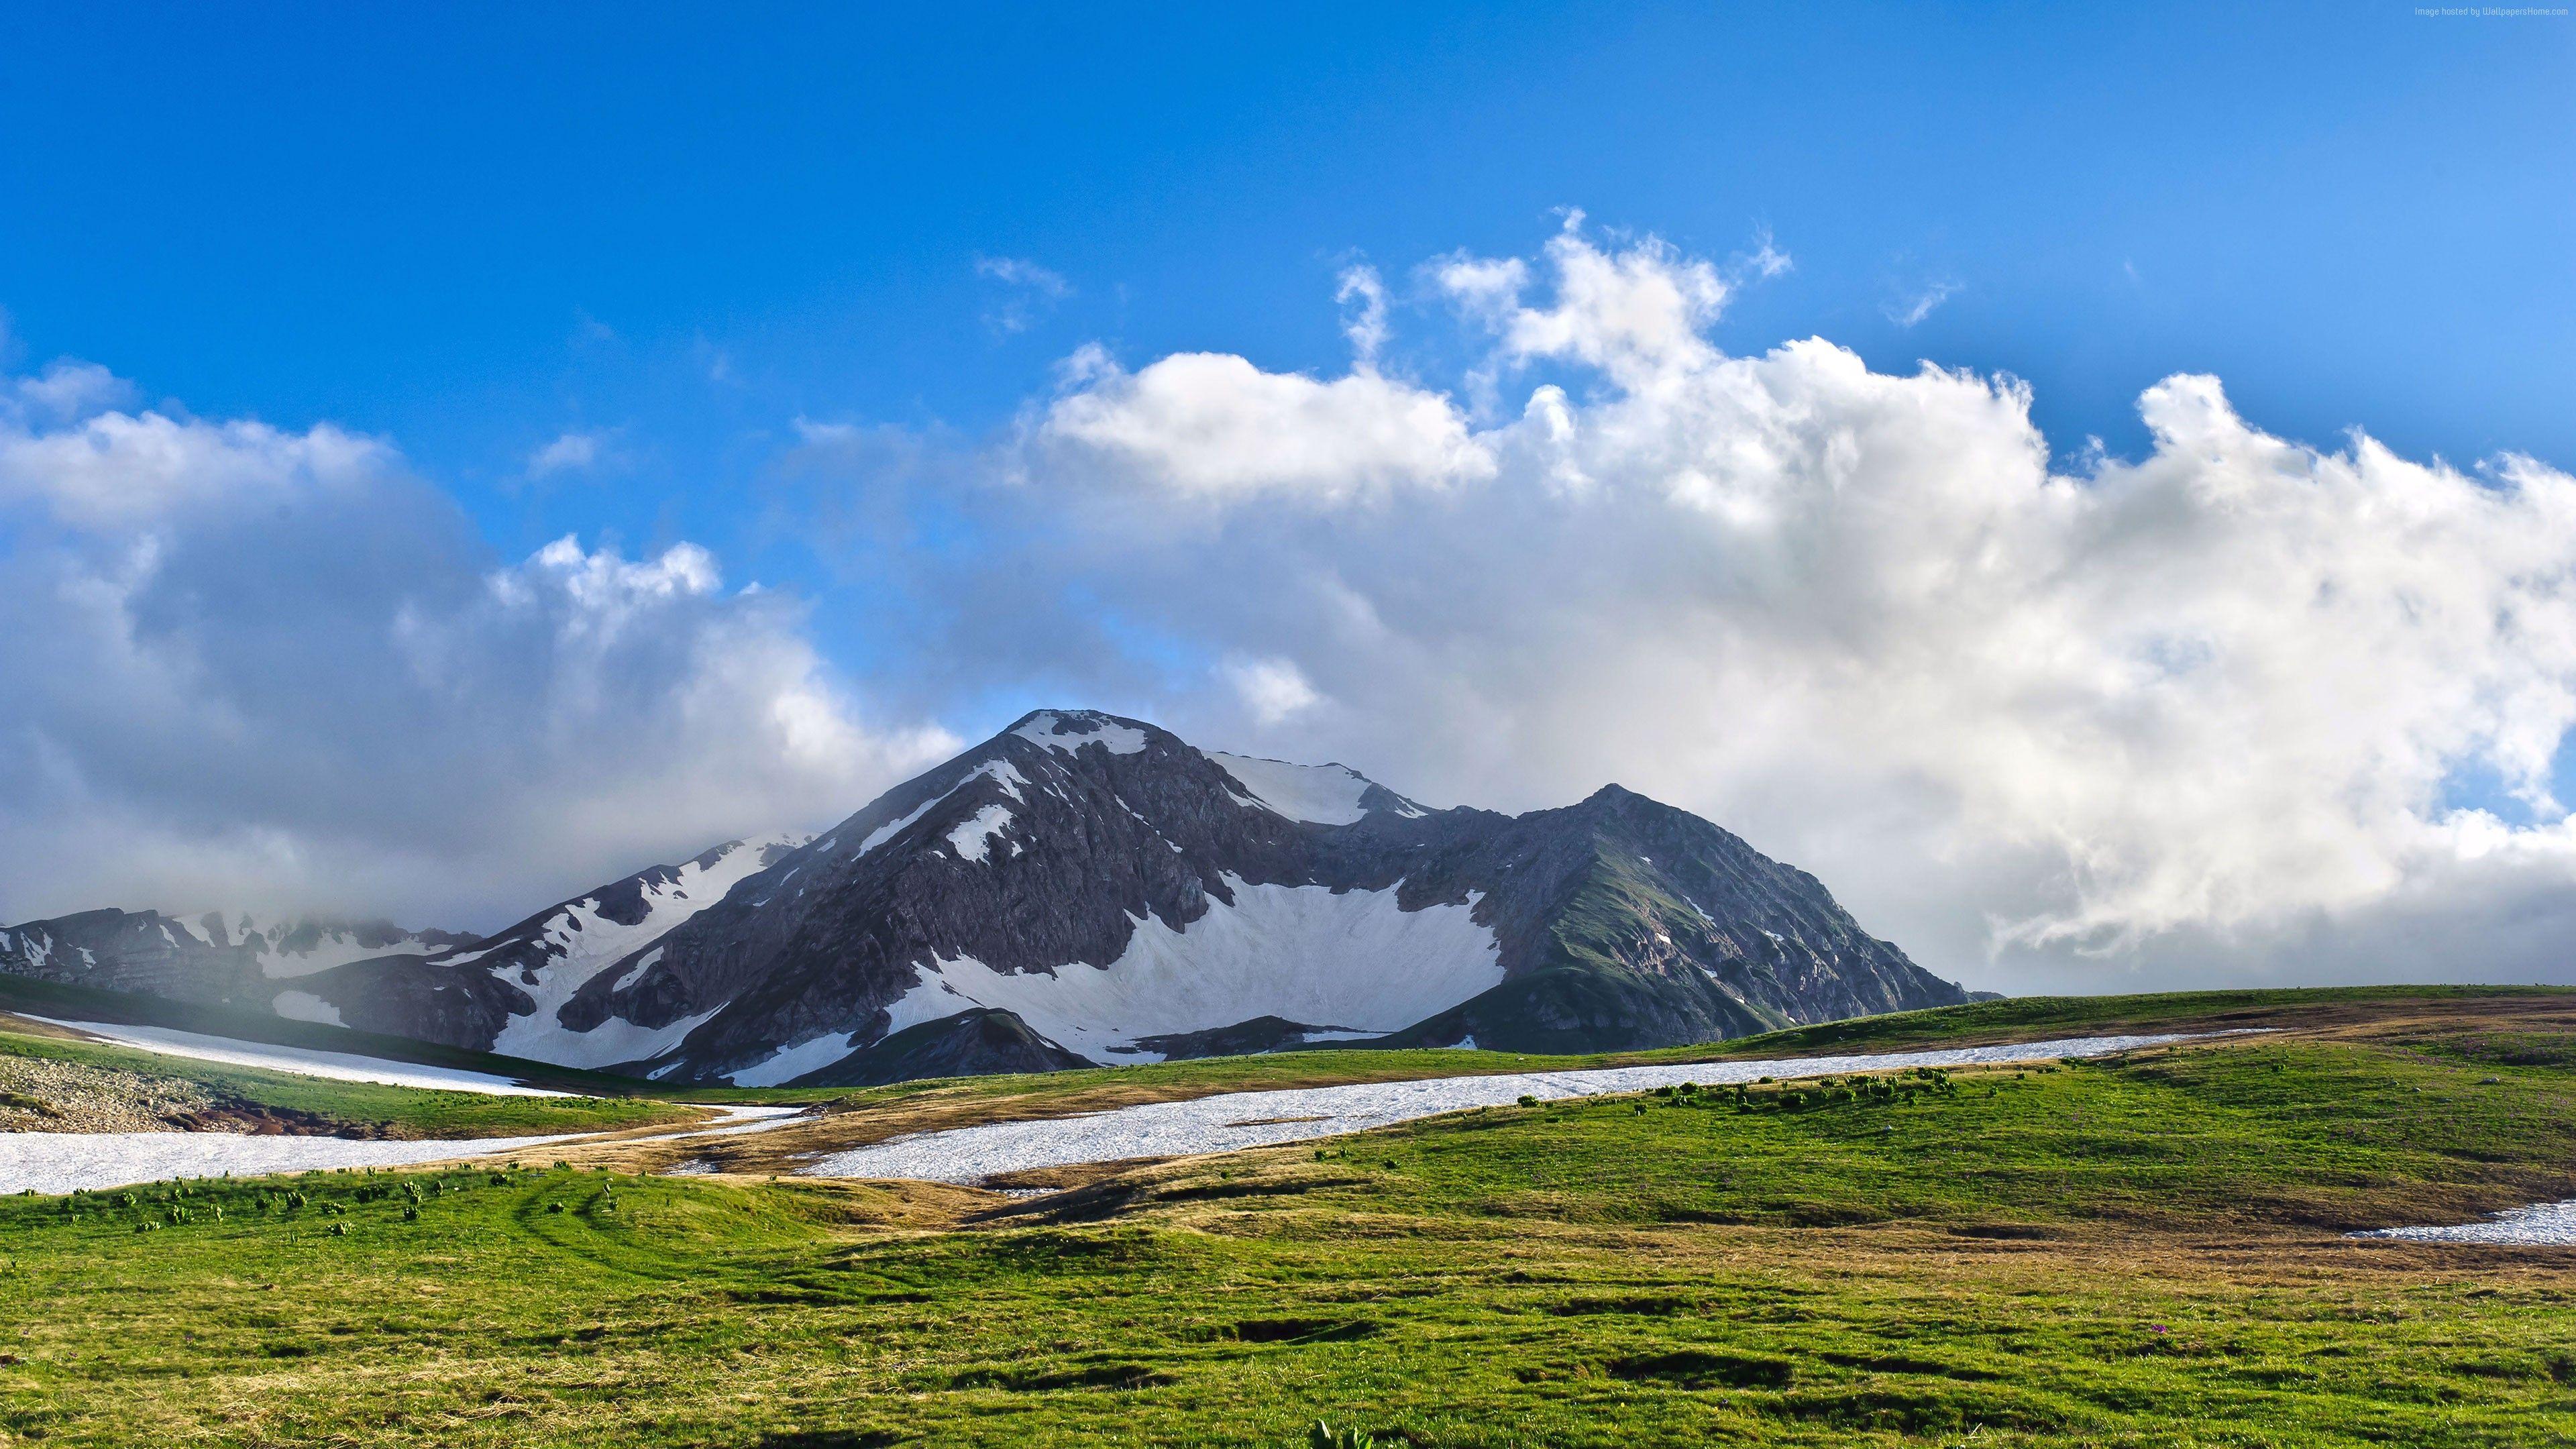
{"x":2188,"y":713}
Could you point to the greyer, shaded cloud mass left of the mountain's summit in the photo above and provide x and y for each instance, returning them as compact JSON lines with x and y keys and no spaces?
{"x":272,"y":669}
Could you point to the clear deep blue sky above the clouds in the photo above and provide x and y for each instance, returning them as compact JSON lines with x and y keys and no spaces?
{"x":478,"y":236}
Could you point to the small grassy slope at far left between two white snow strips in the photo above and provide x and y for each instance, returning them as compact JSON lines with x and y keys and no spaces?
{"x":251,"y":1097}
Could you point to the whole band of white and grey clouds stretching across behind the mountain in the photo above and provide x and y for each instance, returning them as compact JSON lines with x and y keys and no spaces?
{"x":2230,"y":710}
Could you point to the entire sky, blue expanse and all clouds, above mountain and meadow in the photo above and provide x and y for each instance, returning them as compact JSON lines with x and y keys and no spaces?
{"x":882,"y":311}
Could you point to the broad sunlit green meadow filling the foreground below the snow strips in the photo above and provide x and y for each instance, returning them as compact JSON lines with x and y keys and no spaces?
{"x":2142,"y":1252}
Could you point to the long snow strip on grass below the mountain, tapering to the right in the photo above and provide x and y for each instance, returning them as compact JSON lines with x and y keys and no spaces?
{"x":1264,"y":1118}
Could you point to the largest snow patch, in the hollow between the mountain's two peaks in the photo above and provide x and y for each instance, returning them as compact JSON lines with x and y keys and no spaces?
{"x":1302,"y":953}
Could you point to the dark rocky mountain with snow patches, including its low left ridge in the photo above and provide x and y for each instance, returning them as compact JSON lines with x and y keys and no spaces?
{"x":1088,"y":888}
